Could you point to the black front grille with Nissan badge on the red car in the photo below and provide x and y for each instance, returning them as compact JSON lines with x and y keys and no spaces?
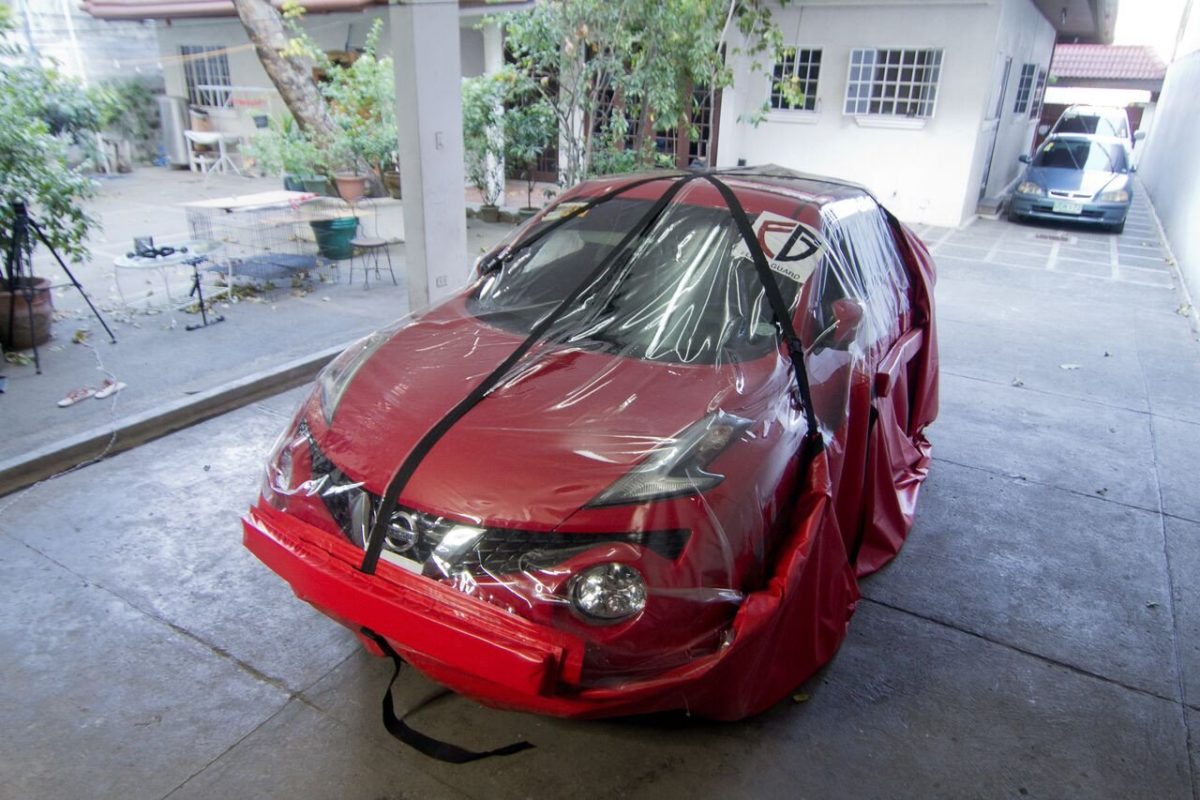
{"x":499,"y":551}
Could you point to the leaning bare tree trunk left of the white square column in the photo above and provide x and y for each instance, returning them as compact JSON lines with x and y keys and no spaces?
{"x":292,"y":76}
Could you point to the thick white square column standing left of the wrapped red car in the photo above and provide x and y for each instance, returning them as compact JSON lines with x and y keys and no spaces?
{"x":429,"y":118}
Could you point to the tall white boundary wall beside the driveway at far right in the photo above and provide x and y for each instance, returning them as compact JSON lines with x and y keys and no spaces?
{"x":1171,"y":163}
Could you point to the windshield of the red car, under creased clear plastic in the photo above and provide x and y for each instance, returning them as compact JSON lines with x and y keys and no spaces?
{"x":680,"y":294}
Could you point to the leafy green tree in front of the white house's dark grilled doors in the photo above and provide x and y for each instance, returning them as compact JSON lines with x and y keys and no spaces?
{"x":616,"y":73}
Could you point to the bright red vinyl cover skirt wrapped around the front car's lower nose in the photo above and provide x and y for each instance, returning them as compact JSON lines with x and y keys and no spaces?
{"x":781,"y":636}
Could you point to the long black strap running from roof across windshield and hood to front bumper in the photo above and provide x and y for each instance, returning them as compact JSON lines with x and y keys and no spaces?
{"x":405,"y":473}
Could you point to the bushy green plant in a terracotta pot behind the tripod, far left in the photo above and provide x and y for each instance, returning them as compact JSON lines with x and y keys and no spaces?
{"x":34,"y":170}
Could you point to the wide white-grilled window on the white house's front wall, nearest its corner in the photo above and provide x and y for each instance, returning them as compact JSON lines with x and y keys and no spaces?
{"x":895,"y":82}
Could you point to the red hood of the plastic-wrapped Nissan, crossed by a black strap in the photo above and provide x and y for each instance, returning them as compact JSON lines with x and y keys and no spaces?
{"x":561,"y":429}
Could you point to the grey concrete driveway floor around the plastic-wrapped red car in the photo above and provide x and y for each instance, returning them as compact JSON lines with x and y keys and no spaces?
{"x":1039,"y":636}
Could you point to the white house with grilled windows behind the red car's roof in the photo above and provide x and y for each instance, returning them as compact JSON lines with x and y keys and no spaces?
{"x":928,"y":104}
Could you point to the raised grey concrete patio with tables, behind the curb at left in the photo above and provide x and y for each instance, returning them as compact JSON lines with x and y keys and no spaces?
{"x":160,"y":362}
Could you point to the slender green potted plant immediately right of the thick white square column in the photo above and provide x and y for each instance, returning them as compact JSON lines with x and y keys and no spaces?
{"x":483,"y":139}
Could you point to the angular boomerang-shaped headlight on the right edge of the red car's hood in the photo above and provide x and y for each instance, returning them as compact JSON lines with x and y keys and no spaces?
{"x":679,"y":470}
